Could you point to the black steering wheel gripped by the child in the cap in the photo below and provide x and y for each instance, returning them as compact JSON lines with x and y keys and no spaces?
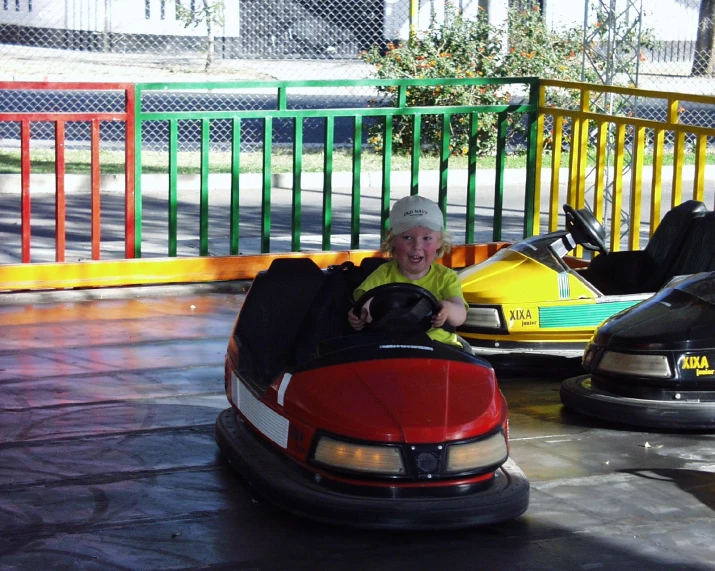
{"x":399,"y":307}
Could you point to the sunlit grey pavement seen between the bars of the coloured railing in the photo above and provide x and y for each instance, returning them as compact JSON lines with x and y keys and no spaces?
{"x":155,"y":211}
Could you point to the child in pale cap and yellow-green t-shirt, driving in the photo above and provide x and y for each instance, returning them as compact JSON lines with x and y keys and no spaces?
{"x":415,"y":240}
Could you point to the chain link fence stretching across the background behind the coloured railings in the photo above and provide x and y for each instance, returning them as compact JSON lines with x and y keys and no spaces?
{"x":665,"y":41}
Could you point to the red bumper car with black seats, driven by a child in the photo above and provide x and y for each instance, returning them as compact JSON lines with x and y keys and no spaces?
{"x":382,"y":429}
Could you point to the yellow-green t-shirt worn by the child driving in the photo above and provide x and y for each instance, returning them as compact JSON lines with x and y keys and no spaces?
{"x":441,"y":281}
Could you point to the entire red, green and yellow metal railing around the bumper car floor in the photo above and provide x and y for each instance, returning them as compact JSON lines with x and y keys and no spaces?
{"x":592,"y":176}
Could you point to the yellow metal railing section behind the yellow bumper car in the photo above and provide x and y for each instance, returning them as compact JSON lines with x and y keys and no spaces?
{"x":617,"y":181}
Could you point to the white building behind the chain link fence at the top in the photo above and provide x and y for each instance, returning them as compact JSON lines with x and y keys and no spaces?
{"x":278,"y":24}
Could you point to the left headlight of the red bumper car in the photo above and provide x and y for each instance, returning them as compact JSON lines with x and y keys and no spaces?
{"x":370,"y":459}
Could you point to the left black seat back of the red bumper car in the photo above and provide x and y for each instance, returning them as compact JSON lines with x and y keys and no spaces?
{"x":271,"y":317}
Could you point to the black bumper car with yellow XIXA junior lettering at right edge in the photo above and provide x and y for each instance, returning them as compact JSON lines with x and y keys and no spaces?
{"x":654,"y":364}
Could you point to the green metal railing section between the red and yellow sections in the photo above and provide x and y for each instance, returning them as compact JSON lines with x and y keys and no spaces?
{"x":283,"y":111}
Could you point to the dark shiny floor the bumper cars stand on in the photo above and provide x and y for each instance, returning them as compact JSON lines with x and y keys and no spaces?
{"x":108,"y":461}
